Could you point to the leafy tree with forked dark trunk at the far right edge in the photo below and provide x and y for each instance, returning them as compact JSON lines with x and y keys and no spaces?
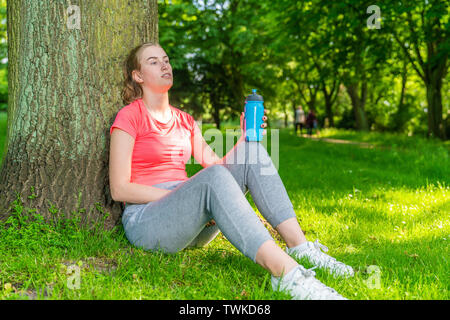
{"x":422,"y":31}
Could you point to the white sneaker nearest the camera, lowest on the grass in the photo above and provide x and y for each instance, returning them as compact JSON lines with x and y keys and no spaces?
{"x":303,"y":285}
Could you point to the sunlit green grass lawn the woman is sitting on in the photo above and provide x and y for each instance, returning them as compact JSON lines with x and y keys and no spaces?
{"x":386,"y":207}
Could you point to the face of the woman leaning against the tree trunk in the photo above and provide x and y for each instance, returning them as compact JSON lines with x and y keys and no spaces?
{"x":156,"y":71}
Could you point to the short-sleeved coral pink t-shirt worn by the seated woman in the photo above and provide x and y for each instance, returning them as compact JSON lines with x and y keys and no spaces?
{"x":160,"y":151}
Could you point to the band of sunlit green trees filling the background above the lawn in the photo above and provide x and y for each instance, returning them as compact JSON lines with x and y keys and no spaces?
{"x":379,"y":68}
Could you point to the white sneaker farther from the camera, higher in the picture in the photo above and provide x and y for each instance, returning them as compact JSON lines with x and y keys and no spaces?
{"x":312,"y":251}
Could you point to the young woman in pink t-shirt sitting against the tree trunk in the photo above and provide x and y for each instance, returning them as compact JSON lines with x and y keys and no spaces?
{"x":151,"y":141}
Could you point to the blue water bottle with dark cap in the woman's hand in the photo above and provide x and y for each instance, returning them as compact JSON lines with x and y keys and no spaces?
{"x":254,"y":112}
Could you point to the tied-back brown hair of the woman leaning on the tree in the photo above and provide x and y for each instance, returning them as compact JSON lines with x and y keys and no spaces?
{"x":131,"y":89}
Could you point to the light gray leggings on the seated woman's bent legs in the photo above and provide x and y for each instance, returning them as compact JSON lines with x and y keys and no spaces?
{"x":178,"y":220}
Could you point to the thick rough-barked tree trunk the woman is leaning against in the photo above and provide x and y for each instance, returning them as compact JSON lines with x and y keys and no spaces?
{"x":64,"y":93}
